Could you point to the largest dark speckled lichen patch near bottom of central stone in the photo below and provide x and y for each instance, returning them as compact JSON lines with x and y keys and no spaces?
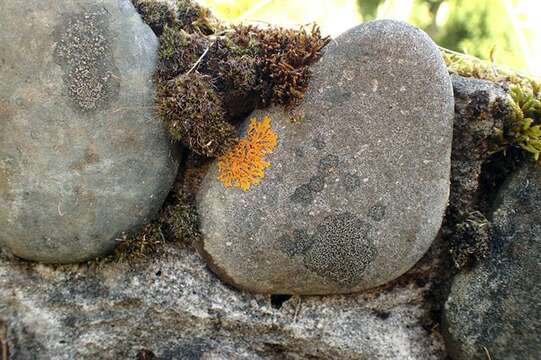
{"x":341,"y":249}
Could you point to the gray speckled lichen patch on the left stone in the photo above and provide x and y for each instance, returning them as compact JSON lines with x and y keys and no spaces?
{"x":85,"y":55}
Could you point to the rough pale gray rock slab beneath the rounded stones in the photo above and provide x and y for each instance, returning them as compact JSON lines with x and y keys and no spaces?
{"x":171,"y":306}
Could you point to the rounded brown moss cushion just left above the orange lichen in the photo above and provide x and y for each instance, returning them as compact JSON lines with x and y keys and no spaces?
{"x":194,"y":114}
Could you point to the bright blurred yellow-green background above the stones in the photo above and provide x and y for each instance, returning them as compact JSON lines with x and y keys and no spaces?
{"x":510,"y":27}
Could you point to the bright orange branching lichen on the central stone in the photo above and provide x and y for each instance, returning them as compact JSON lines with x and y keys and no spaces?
{"x":244,"y":165}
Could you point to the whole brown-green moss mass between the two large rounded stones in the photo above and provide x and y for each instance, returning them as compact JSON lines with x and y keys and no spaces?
{"x":210,"y":76}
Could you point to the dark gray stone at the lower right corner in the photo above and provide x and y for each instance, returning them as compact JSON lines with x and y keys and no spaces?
{"x":494,"y":310}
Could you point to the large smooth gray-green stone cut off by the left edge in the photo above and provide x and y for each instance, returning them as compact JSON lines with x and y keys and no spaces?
{"x":83,"y":157}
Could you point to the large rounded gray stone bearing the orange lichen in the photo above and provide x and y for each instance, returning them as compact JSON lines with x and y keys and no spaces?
{"x":359,"y":179}
